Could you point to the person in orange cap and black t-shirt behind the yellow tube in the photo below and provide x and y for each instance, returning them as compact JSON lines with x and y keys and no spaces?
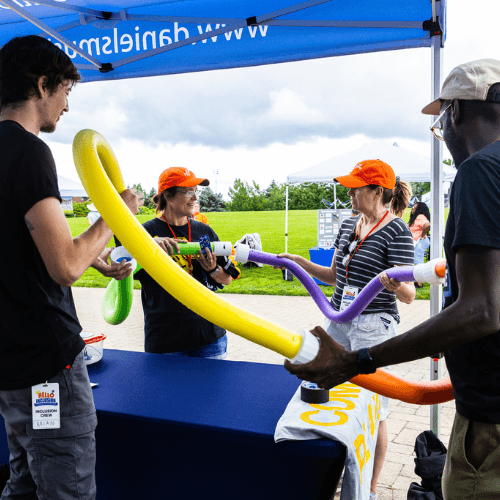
{"x":169,"y":326}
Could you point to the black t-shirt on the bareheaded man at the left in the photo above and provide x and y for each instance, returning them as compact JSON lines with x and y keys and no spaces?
{"x":39,"y":329}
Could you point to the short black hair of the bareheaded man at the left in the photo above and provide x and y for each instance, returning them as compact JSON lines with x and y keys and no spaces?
{"x":23,"y":60}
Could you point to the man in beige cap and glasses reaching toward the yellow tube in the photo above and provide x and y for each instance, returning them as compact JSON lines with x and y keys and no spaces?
{"x":468,"y":328}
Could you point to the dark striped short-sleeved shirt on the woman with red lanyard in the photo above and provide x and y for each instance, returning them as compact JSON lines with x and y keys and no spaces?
{"x":390,"y":246}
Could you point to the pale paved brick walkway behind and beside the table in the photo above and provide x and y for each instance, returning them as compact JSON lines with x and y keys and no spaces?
{"x":405,"y":421}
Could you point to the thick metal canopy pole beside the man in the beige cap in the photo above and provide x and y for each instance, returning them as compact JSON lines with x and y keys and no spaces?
{"x":437,"y":219}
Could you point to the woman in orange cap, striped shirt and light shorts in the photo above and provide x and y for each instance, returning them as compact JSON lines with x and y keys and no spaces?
{"x":366,"y":245}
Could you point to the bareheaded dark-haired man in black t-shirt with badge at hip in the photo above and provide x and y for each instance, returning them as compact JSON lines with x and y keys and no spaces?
{"x":45,"y":395}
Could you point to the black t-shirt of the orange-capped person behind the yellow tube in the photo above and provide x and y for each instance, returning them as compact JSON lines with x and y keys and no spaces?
{"x":169,"y":326}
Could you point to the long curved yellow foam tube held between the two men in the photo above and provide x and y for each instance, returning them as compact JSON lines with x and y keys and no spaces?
{"x":101,"y":177}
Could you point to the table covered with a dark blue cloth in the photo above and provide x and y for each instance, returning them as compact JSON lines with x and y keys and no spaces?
{"x":186,"y":428}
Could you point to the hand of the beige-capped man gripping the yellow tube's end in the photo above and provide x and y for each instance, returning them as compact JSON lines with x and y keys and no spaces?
{"x":332,"y":366}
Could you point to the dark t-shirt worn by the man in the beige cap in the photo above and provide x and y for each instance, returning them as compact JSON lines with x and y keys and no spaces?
{"x":474,"y":220}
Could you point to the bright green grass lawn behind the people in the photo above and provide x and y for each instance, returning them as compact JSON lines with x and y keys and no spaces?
{"x":231,"y":226}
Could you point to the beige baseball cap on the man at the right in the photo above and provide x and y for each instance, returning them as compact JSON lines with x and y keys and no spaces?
{"x":470,"y":81}
